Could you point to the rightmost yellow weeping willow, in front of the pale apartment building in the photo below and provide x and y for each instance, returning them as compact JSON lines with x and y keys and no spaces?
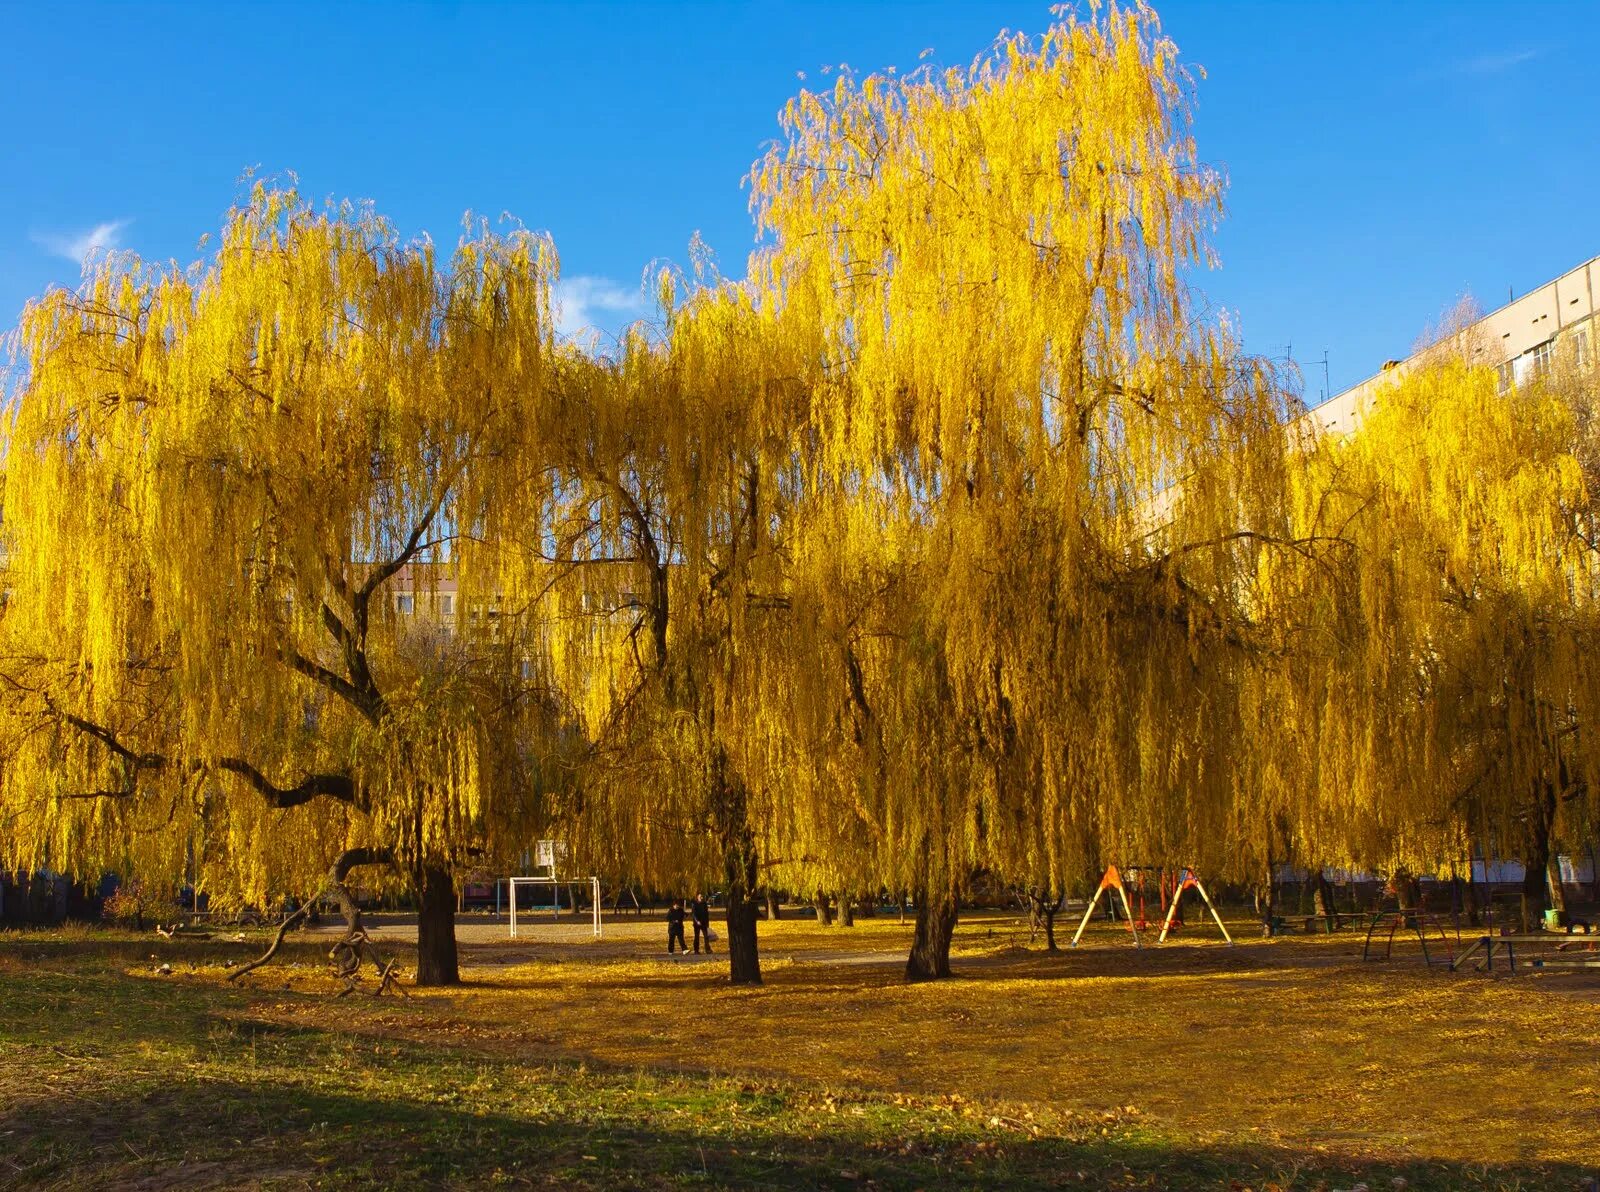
{"x":1457,"y":708}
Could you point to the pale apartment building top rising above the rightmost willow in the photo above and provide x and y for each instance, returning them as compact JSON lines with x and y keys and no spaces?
{"x":1519,"y":340}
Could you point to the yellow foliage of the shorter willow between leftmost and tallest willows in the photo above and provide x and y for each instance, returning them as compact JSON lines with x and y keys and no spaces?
{"x":665,"y":511}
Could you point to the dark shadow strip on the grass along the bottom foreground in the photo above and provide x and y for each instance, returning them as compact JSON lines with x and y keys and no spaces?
{"x":278,"y":1135}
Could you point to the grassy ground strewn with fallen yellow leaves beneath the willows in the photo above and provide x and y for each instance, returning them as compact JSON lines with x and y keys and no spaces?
{"x":577,"y":1063}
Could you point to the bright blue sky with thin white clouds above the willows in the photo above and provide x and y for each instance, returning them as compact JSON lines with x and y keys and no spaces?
{"x":1383,"y":158}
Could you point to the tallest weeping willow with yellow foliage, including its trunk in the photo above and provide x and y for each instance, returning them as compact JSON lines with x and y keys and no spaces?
{"x":1038,"y":482}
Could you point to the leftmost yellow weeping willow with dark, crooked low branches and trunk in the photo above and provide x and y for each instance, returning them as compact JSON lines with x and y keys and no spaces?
{"x":217,"y":481}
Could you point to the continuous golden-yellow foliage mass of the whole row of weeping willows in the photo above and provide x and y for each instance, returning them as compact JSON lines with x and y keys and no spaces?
{"x":954,"y":537}
